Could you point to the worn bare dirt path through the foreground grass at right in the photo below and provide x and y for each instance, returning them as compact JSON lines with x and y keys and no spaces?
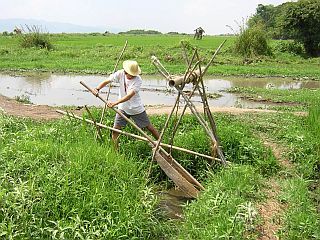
{"x":271,"y":211}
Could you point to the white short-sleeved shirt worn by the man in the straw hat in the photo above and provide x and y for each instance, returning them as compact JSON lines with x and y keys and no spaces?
{"x":134,"y":105}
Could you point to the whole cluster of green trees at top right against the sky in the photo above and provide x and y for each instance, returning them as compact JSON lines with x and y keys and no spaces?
{"x":291,"y":20}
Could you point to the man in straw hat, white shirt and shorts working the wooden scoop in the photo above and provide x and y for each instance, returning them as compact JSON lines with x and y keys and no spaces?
{"x":129,"y":101}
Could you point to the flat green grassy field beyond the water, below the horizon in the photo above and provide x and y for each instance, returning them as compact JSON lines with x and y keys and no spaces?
{"x":98,"y":54}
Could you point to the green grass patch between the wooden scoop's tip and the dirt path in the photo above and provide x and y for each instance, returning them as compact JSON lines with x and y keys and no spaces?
{"x":225,"y":209}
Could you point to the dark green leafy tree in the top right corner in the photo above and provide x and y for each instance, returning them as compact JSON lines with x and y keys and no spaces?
{"x":302,"y":21}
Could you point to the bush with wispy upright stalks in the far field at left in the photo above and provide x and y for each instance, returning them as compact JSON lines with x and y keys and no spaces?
{"x":36,"y":38}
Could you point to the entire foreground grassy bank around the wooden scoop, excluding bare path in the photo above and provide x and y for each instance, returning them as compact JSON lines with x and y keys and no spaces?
{"x":58,"y":184}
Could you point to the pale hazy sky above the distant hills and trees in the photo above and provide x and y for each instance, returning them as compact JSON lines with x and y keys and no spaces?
{"x":164,"y":16}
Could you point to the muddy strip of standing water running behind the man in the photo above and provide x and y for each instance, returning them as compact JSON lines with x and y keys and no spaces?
{"x":58,"y":90}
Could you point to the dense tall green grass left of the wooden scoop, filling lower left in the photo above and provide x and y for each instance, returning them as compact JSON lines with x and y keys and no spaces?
{"x":56,"y":182}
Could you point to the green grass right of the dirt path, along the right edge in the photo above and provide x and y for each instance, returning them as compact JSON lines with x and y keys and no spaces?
{"x":300,"y":189}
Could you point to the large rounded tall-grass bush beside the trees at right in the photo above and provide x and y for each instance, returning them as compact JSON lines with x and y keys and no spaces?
{"x":252,"y":42}
